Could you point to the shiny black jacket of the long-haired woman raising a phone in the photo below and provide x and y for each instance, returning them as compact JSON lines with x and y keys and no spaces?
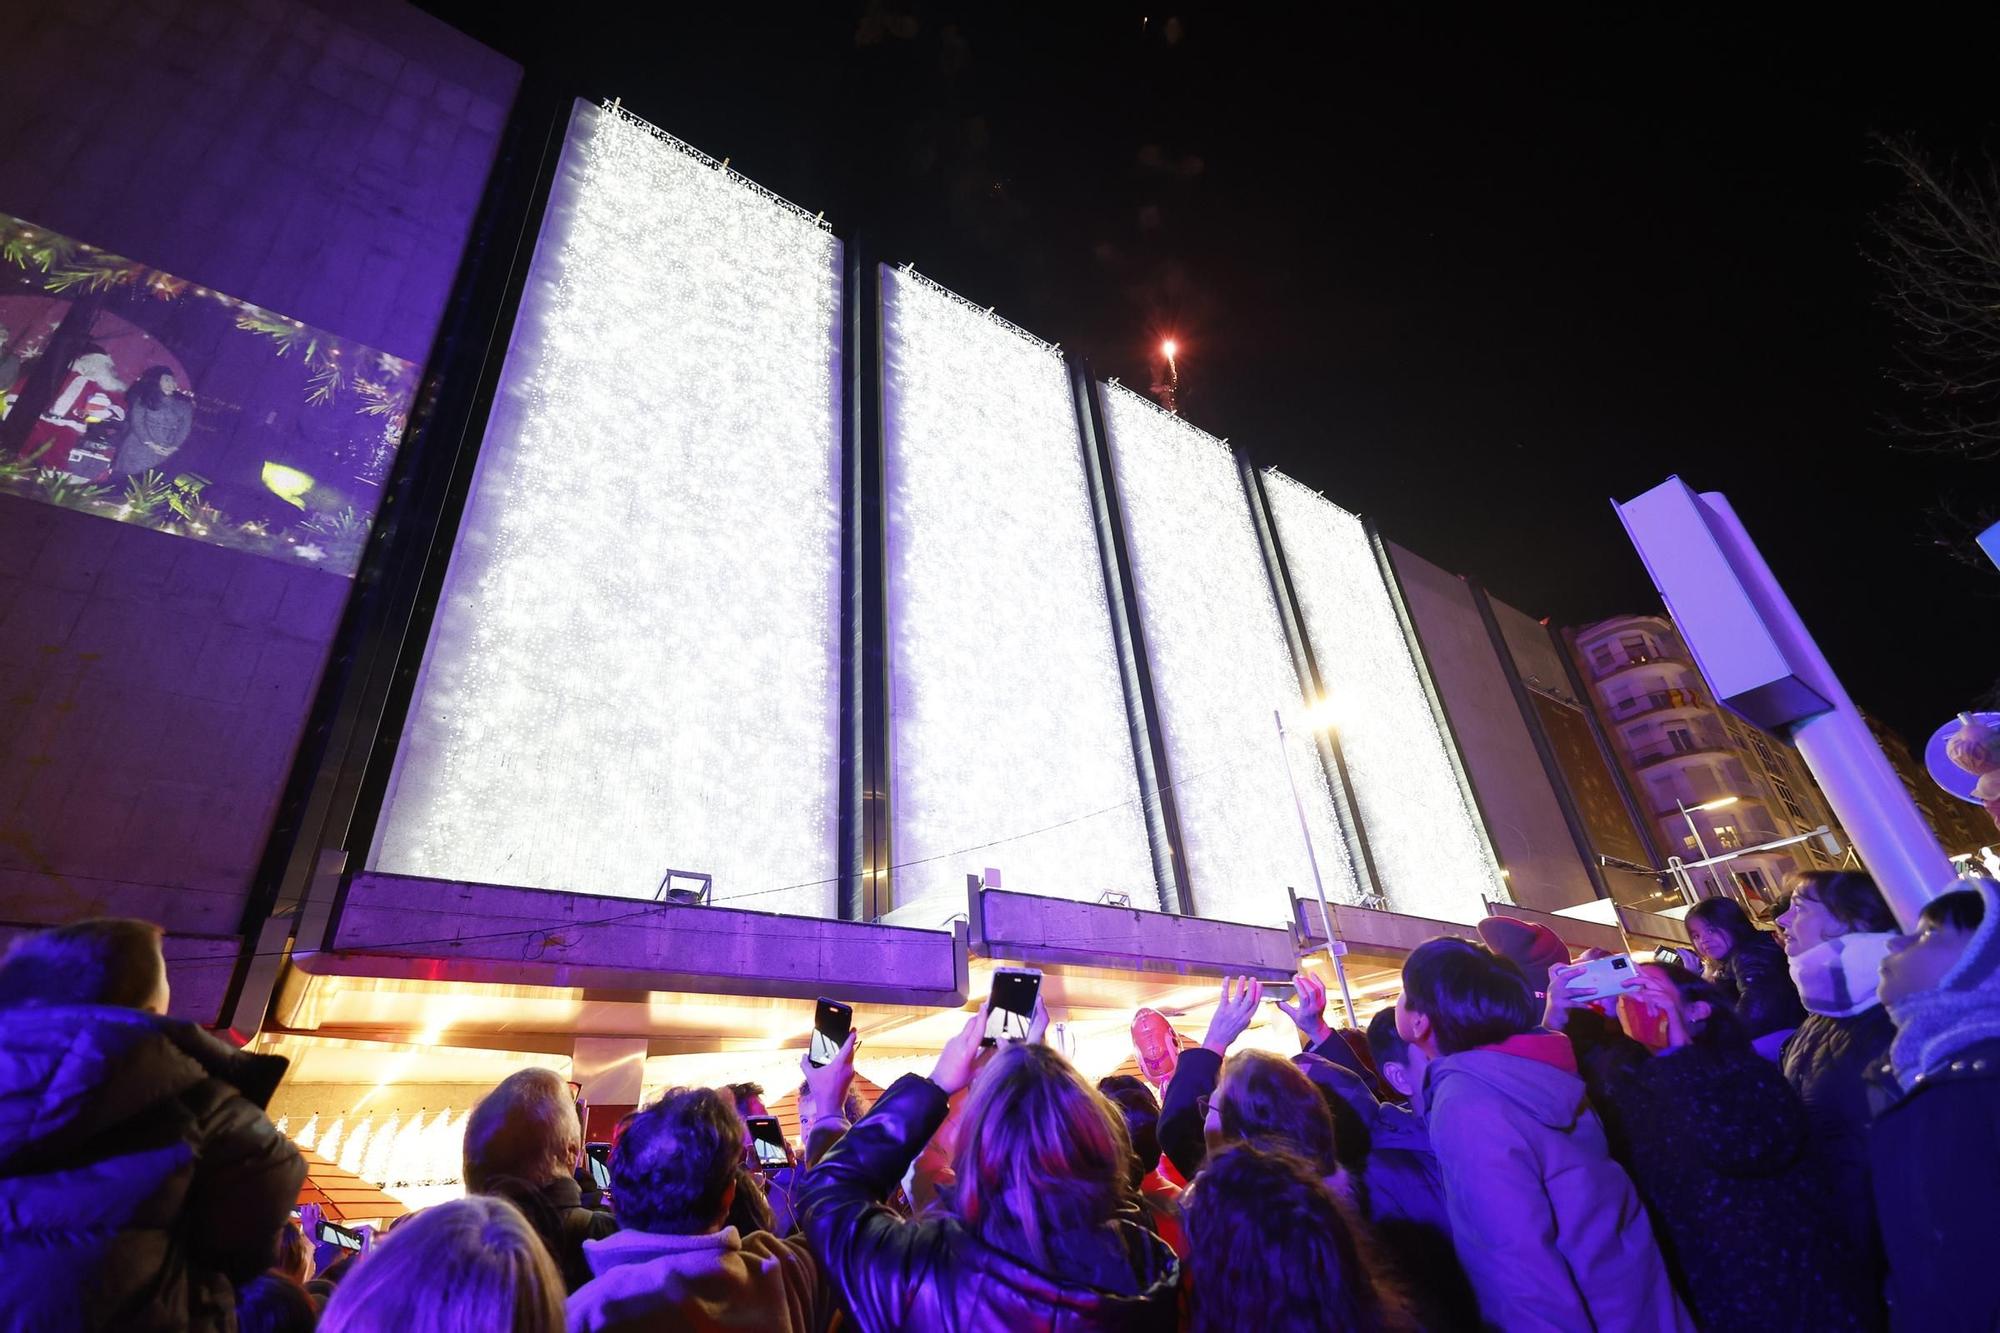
{"x":937,"y":1274}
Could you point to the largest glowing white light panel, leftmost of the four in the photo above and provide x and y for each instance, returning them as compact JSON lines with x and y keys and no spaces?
{"x":635,"y":661}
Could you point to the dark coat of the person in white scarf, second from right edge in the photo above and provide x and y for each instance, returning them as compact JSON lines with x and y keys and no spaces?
{"x":1829,"y":1064}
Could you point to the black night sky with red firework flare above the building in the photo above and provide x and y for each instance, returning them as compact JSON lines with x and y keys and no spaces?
{"x":1473,"y":277}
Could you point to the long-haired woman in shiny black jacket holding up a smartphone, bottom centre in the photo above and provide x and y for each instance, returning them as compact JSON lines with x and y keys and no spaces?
{"x":1041,"y":1230}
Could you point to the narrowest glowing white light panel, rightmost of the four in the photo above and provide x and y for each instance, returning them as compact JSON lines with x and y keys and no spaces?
{"x":1425,"y":840}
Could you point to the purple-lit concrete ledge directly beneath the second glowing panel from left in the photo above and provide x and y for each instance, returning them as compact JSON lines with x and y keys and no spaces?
{"x":1033,"y":930}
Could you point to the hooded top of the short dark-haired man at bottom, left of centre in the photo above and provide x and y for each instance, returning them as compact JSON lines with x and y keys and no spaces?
{"x":697,"y":1284}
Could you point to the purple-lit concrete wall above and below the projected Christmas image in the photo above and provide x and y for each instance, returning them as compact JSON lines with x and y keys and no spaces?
{"x":323,"y":163}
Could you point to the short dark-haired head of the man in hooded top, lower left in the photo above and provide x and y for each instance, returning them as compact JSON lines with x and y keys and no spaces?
{"x":675,"y":1170}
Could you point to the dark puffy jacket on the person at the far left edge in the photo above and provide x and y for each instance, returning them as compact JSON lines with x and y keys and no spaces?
{"x":139,"y":1174}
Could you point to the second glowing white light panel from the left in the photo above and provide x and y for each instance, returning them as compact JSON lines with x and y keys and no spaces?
{"x":1009,"y":726}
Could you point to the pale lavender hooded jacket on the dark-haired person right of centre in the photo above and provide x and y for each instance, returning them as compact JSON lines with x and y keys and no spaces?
{"x":1549,"y":1228}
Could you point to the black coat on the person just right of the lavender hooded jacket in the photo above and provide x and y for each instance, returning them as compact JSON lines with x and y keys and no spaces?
{"x":1739,"y":1210}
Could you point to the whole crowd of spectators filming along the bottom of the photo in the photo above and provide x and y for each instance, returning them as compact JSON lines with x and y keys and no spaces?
{"x":1795,"y":1130}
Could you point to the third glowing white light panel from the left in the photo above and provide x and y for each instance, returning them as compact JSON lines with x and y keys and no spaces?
{"x":1221,"y":670}
